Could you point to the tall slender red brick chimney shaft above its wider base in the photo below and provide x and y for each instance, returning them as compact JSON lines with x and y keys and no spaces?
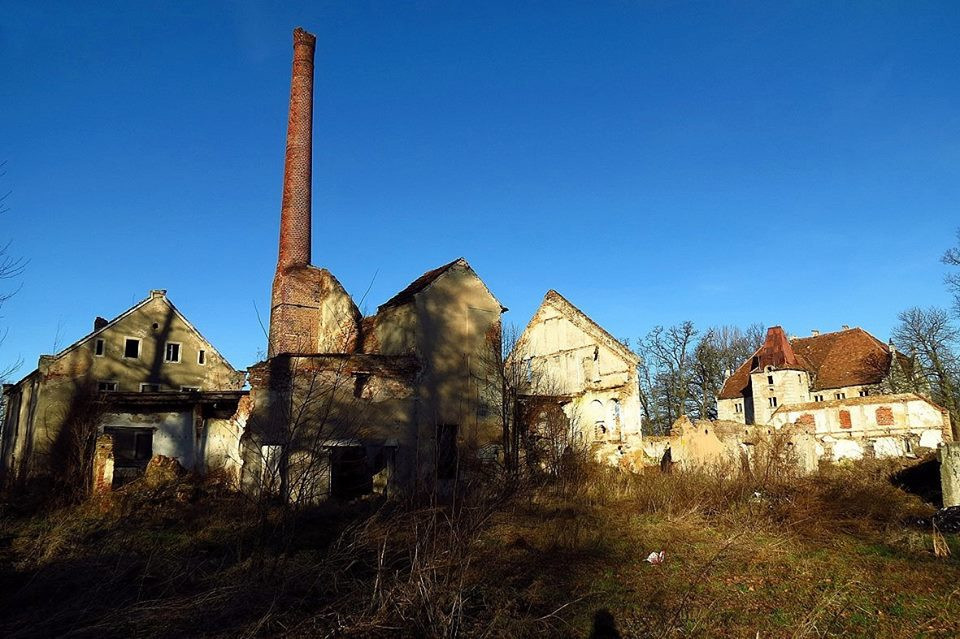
{"x":295,"y":210}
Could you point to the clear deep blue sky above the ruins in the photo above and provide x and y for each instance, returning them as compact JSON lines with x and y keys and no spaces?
{"x":729,"y":162}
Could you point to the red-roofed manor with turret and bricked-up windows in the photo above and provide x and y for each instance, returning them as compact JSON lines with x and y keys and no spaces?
{"x":857,"y":394}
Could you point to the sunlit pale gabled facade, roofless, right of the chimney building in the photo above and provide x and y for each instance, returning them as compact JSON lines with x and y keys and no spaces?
{"x":568,"y":358}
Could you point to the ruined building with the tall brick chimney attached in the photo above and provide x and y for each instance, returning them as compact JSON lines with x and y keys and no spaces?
{"x":346,"y":405}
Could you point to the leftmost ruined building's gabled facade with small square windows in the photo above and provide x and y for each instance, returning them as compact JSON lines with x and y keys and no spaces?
{"x":150,"y":350}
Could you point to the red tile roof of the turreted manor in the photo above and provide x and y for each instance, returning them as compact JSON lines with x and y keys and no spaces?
{"x":851,"y":357}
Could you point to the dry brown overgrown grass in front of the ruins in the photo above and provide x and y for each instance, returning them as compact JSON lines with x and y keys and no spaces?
{"x":842,"y":552}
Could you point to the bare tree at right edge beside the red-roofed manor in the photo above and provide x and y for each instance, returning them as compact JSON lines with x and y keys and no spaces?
{"x":931,"y":340}
